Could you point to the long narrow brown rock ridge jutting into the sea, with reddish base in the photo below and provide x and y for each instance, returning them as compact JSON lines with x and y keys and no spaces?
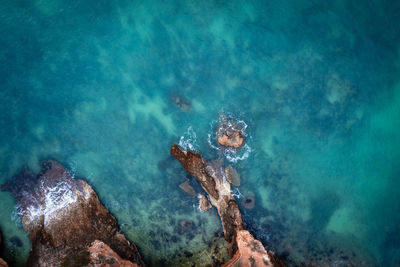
{"x":212,"y":179}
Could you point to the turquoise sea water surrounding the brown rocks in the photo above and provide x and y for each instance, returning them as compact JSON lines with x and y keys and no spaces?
{"x":92,"y":84}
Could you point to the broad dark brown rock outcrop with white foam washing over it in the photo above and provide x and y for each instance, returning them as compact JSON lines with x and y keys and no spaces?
{"x":63,"y":217}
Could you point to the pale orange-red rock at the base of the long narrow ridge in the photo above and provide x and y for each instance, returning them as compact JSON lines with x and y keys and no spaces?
{"x":251,"y":252}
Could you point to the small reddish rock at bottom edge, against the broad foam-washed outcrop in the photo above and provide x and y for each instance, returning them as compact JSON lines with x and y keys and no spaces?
{"x":101,"y":254}
